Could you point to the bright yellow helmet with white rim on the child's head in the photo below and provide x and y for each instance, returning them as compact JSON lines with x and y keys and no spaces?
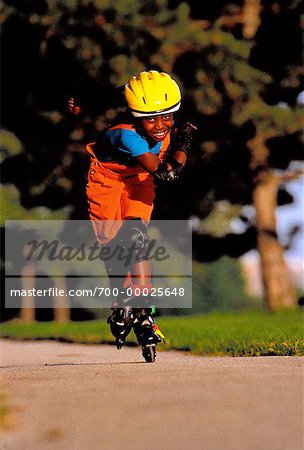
{"x":152,"y":93}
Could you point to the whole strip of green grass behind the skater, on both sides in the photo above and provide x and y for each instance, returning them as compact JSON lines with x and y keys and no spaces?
{"x":234,"y":334}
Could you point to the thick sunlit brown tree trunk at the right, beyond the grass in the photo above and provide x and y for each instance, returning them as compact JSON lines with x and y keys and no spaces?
{"x":279,"y":291}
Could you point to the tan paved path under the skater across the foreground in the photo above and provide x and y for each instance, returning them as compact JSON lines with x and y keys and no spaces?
{"x":78,"y":397}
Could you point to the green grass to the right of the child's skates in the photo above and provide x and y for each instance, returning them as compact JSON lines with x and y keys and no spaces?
{"x":239,"y":334}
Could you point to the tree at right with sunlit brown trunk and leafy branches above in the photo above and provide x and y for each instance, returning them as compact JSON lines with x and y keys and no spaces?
{"x":267,"y":123}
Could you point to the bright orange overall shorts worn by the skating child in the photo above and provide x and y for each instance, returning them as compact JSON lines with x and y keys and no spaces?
{"x":114,"y":196}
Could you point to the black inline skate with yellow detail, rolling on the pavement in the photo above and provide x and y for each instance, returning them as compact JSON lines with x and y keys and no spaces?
{"x":148,"y":334}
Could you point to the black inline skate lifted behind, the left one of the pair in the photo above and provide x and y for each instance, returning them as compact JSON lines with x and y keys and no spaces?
{"x":121,"y":322}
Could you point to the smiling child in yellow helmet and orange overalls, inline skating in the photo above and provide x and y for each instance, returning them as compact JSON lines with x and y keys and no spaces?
{"x":128,"y":160}
